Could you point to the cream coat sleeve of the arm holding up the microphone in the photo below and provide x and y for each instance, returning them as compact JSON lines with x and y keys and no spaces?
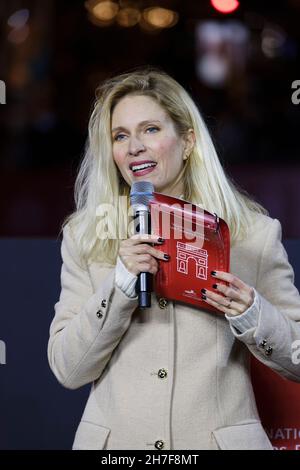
{"x":87,"y":325}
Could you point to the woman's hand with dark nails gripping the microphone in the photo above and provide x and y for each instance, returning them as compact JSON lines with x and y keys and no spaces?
{"x":138,"y":256}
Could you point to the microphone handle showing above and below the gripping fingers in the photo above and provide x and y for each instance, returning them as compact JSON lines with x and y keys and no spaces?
{"x":144,"y":284}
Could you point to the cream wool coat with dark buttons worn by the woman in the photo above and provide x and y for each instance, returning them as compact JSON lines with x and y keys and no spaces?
{"x":205,"y":400}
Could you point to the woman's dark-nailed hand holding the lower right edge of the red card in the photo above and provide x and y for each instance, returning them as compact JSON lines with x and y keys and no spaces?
{"x":234,"y":299}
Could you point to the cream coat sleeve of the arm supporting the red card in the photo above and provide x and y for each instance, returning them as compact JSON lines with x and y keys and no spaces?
{"x":275,"y":338}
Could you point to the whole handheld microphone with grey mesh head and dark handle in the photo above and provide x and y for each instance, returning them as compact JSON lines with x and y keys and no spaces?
{"x":140,"y":196}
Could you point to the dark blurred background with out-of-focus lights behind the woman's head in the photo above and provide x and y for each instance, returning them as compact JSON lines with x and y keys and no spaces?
{"x":240,"y":67}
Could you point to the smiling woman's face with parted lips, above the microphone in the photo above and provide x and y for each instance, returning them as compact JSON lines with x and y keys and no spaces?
{"x":146,"y":145}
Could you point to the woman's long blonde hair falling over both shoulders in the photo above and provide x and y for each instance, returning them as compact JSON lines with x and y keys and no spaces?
{"x":99,"y":180}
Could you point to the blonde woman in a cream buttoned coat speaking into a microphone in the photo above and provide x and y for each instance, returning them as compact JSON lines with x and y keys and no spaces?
{"x":172,"y":376}
